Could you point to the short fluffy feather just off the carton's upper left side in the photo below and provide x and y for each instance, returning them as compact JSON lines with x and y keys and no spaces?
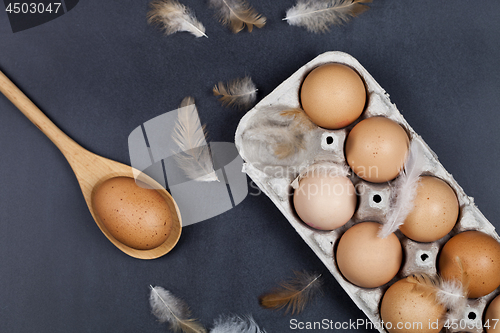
{"x":239,"y":92}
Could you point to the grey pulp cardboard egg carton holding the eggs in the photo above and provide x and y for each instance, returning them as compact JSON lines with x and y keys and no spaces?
{"x":274,"y":178}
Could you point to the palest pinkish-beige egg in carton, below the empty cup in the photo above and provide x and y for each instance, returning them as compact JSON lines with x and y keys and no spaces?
{"x":325,"y":202}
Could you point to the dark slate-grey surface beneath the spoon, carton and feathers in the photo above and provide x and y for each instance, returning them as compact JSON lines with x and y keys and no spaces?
{"x":100,"y":71}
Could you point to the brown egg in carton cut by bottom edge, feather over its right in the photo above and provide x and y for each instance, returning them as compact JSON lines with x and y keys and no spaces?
{"x":405,"y":310}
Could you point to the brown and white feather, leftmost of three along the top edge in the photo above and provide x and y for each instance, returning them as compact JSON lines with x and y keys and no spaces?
{"x":172,"y":16}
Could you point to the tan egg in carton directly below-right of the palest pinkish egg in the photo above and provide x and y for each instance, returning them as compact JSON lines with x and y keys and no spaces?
{"x":367,"y":260}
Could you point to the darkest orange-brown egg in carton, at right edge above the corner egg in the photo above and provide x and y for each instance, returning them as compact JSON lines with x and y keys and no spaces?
{"x":480,"y":257}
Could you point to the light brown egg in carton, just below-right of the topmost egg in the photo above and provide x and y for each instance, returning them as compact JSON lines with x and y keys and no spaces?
{"x":376,"y":149}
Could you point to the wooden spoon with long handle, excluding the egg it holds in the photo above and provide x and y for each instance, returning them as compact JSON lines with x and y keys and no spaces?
{"x":91,"y":170}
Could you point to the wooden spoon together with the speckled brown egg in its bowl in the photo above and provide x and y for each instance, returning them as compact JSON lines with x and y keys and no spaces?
{"x":142,"y":221}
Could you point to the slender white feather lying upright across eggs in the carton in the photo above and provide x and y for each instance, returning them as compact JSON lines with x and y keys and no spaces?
{"x":404,"y":191}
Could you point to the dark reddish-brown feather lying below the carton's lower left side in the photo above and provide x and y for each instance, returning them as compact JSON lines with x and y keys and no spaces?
{"x":293,"y":294}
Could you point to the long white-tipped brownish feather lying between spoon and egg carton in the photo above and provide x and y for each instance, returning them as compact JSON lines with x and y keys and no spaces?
{"x":194,"y":154}
